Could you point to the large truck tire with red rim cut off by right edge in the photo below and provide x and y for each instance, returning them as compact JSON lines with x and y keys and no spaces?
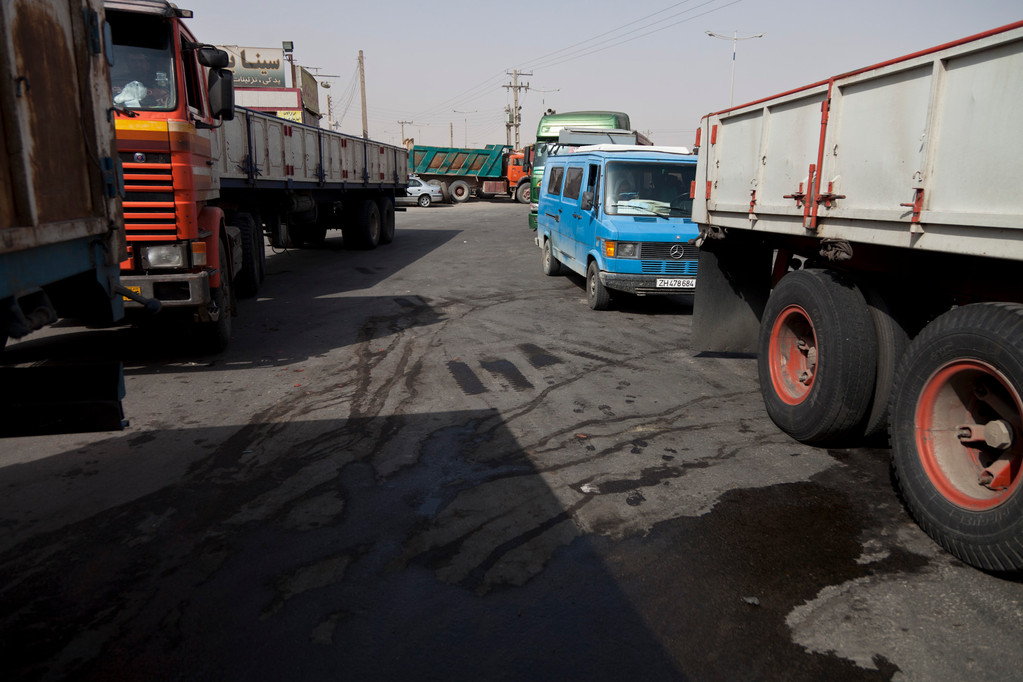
{"x":965,"y":373}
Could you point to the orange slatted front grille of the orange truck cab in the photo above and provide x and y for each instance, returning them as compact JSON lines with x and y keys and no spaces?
{"x":149,"y":201}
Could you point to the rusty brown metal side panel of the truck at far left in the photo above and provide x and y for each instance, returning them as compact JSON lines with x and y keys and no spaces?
{"x":55,"y":96}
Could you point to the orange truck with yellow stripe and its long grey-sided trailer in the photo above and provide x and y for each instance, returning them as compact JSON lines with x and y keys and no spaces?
{"x":205,"y":183}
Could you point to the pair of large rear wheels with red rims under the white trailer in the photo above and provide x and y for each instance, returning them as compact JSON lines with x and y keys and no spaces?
{"x":836,"y":366}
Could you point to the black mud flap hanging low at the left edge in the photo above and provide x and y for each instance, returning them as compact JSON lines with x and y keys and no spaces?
{"x":62,"y":399}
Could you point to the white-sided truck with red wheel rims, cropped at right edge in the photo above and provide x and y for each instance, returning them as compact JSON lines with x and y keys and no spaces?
{"x":864,"y":236}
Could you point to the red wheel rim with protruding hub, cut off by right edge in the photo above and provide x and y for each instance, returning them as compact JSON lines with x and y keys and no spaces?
{"x":966,"y":393}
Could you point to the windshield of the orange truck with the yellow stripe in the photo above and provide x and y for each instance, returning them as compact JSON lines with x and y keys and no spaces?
{"x":143,"y":76}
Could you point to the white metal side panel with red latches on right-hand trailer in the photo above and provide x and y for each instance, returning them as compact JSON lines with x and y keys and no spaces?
{"x":921,"y":153}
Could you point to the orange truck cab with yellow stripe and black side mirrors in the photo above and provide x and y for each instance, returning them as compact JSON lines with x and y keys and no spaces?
{"x":170,"y":94}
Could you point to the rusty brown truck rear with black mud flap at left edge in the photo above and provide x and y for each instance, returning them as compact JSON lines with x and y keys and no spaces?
{"x":62,"y":235}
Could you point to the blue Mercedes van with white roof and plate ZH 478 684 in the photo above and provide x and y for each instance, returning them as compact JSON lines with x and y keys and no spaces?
{"x":621,"y":217}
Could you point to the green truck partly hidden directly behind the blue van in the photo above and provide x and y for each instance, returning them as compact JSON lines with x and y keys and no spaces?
{"x":571,"y":130}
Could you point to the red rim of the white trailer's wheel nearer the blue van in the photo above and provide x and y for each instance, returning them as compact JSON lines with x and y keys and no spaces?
{"x":793,"y":355}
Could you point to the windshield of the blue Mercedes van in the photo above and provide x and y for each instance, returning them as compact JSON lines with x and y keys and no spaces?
{"x":649,"y":189}
